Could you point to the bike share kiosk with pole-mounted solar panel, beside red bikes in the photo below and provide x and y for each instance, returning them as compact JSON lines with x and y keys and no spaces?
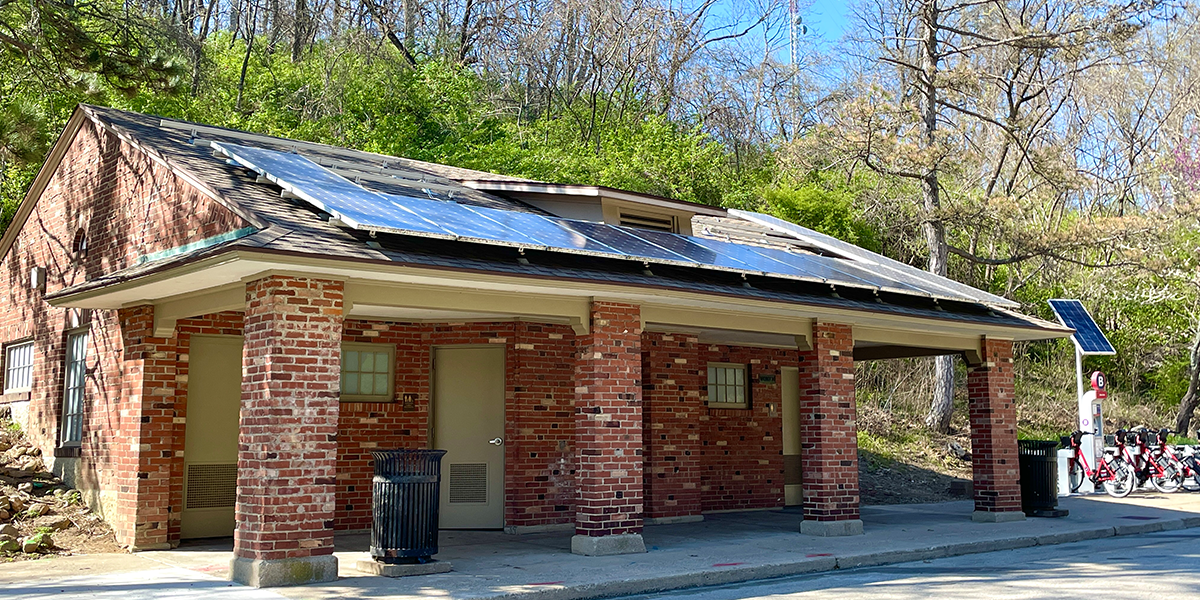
{"x":1090,"y":341}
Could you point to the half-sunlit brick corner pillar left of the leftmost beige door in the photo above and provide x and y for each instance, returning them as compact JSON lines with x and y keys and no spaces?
{"x":148,"y":391}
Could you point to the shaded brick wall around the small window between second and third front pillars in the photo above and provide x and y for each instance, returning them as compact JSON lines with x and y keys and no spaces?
{"x":742,"y":459}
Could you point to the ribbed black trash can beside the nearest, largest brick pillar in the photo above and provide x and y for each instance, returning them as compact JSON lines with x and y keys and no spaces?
{"x":406,"y":506}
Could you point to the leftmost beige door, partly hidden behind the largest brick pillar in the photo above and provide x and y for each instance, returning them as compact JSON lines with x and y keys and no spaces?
{"x":211,"y":443}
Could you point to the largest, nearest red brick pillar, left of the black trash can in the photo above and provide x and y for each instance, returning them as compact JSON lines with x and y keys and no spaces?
{"x":287,"y":446}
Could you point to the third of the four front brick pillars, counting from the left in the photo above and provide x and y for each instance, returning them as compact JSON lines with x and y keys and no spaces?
{"x":830,"y":434}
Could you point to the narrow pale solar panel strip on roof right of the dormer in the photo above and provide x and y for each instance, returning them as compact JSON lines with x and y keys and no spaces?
{"x":933,"y":285}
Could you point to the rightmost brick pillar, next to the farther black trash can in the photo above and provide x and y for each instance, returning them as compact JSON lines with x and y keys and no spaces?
{"x":998,"y":490}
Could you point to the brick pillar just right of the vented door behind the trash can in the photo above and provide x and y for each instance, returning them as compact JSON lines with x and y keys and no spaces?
{"x":609,"y":434}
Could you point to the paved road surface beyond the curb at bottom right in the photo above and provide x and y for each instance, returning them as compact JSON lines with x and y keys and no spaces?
{"x":1162,"y":566}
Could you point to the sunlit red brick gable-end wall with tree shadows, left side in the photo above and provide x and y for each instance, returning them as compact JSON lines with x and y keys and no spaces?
{"x":129,"y":206}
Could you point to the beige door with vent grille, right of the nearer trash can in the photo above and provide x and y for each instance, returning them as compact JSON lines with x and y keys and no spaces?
{"x":469,"y":424}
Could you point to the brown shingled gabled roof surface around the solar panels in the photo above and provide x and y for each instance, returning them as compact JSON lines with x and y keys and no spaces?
{"x":287,"y":226}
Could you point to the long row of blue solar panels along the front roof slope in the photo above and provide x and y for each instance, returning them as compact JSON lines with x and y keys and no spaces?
{"x":369,"y":211}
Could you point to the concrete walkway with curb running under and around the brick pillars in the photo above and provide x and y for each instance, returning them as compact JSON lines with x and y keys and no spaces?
{"x":723,"y":549}
